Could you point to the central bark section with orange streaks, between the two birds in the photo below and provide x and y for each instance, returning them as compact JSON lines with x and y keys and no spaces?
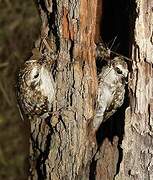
{"x":63,"y":145}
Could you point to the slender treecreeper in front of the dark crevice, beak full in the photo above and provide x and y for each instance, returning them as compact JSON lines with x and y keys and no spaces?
{"x":111,"y":86}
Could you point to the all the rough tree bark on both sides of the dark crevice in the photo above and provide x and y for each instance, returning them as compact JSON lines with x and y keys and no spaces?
{"x":65,"y":146}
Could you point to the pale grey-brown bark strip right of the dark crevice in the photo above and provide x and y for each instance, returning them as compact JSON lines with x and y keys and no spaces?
{"x":137,"y":162}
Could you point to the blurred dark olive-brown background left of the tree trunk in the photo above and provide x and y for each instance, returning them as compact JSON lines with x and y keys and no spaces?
{"x":19,"y":28}
